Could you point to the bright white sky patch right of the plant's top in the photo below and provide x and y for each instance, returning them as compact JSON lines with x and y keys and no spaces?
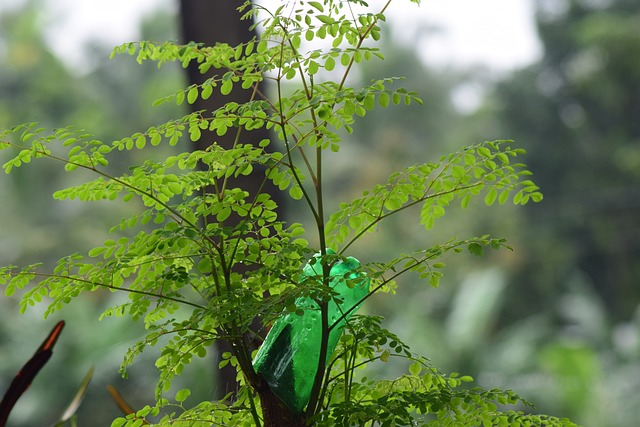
{"x":498,"y":34}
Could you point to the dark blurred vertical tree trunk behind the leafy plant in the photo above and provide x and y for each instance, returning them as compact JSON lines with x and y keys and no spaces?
{"x":211,"y":22}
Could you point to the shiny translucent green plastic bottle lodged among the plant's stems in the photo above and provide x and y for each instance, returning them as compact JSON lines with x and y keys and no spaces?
{"x":288,"y":358}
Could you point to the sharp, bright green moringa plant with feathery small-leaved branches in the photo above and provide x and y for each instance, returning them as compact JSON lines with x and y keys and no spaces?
{"x":209,"y":258}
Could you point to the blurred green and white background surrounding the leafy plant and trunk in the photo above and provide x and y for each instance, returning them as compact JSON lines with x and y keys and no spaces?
{"x":556,"y":319}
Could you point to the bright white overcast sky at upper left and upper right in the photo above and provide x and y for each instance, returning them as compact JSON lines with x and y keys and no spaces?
{"x":497,"y":33}
